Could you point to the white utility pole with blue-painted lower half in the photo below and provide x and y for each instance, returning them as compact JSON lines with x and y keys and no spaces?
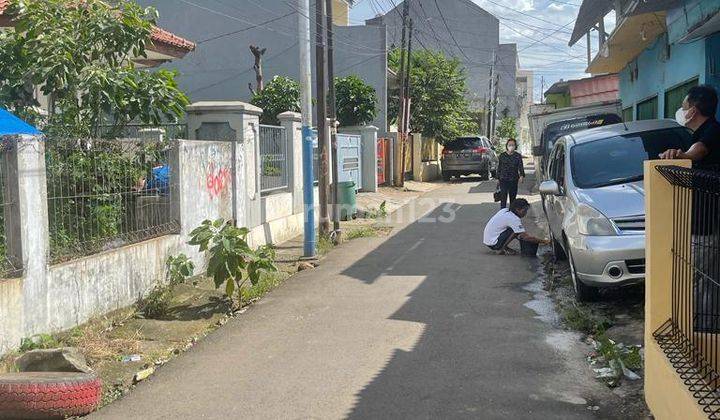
{"x":309,"y":241}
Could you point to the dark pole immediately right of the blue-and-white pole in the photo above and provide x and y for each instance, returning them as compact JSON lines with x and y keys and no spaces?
{"x":321,"y":115}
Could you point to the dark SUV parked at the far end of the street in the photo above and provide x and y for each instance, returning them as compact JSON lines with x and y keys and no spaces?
{"x":469,"y":155}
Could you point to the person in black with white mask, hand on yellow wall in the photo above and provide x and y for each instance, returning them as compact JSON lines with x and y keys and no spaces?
{"x":698,"y":114}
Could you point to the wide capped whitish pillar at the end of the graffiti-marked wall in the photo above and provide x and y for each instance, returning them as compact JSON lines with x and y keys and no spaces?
{"x":237,"y":122}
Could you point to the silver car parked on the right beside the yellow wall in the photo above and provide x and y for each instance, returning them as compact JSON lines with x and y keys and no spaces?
{"x":595,"y":200}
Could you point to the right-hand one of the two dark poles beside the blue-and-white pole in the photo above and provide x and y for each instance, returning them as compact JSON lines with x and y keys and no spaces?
{"x":332,"y":114}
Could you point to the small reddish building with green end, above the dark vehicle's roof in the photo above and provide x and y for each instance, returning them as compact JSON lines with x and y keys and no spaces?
{"x":585,"y":91}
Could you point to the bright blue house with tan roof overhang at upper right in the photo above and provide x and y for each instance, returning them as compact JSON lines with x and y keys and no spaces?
{"x":660,"y":49}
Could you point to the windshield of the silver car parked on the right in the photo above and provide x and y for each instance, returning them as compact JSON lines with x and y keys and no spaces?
{"x":619,"y":159}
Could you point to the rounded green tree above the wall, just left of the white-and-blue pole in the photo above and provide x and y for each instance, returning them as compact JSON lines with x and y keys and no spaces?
{"x":282,"y":94}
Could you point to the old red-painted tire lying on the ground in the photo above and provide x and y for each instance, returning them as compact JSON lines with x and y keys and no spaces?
{"x":34,"y":395}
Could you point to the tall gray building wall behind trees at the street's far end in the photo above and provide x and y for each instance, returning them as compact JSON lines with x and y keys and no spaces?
{"x":473,"y":37}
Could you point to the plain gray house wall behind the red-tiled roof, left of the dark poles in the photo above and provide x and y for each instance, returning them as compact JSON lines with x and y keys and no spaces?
{"x":220,"y":69}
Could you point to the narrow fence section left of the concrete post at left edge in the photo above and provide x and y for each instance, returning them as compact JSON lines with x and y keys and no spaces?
{"x":10,"y":259}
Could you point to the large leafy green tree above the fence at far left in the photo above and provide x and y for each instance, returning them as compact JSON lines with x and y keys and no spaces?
{"x":81,"y":57}
